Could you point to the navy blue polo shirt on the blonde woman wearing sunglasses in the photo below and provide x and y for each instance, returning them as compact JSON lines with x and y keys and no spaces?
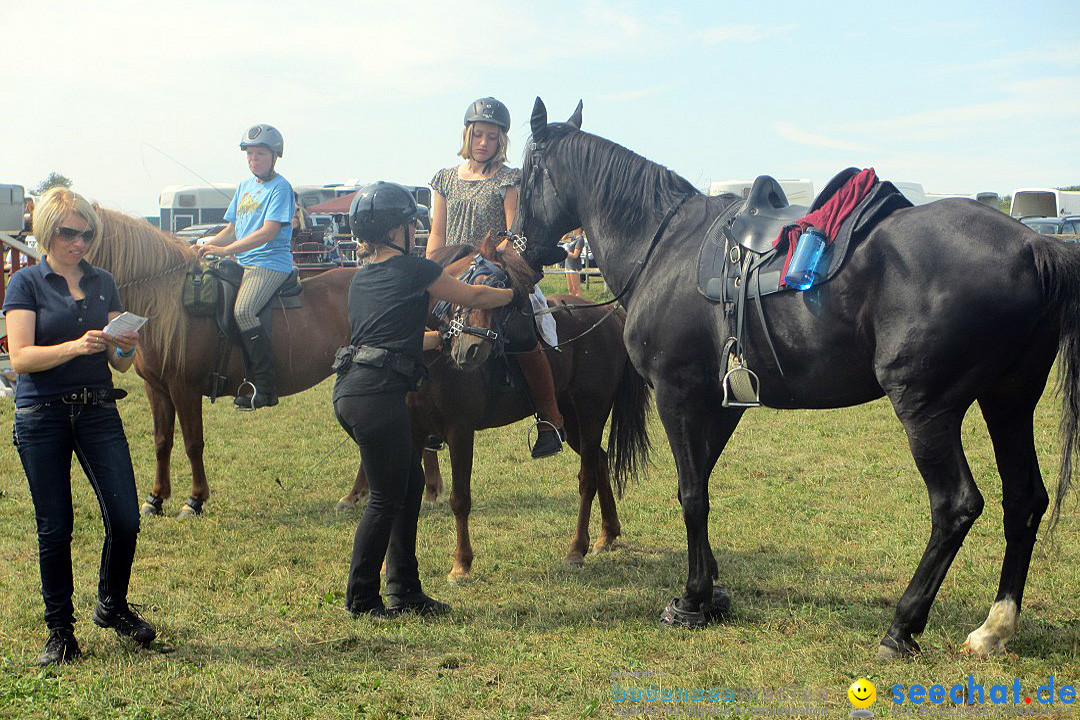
{"x":59,"y":319}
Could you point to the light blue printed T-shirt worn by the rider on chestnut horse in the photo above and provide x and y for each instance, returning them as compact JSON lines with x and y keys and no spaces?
{"x":254,"y":205}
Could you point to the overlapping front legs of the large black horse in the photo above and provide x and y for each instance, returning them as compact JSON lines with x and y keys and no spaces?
{"x":698,"y":430}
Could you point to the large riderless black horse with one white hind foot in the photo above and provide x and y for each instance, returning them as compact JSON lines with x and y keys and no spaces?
{"x":939,"y":307}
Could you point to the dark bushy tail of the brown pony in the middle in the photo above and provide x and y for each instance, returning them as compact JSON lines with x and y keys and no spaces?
{"x":629,"y":445}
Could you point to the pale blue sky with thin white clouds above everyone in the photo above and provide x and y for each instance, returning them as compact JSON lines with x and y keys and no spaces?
{"x":960,"y":97}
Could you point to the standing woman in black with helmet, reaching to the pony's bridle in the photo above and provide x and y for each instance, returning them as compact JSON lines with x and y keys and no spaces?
{"x":389,"y":302}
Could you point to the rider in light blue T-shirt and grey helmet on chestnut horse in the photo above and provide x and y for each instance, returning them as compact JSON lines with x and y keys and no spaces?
{"x":261,"y":235}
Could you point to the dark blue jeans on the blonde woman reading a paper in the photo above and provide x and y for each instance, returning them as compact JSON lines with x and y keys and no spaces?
{"x":47,"y":436}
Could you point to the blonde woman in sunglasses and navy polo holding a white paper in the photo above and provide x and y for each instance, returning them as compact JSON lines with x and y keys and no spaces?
{"x":65,"y":404}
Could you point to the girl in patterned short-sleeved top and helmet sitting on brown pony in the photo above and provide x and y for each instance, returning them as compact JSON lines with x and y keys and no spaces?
{"x":478,"y":197}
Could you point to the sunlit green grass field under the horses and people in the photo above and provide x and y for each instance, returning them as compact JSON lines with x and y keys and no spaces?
{"x":818,"y":520}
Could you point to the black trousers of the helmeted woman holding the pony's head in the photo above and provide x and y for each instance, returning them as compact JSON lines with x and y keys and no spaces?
{"x":381,"y":427}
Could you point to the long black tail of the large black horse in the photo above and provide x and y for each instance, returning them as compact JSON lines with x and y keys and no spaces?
{"x":1059,"y":268}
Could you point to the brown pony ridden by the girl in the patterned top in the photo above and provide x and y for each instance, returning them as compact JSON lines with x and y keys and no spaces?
{"x":467,"y":390}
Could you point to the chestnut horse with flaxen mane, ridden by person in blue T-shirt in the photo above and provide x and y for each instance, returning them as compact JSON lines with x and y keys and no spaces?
{"x":178,"y":352}
